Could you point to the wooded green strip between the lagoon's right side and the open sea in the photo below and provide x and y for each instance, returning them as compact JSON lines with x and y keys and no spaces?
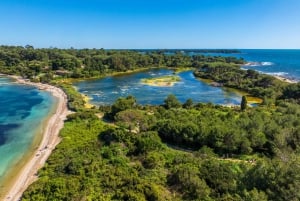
{"x":269,"y":88}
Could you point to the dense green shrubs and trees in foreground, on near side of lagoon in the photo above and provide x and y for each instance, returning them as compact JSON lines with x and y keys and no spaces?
{"x":175,"y":152}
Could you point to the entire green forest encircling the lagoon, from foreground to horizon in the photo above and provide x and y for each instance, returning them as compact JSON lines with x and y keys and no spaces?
{"x":175,"y":151}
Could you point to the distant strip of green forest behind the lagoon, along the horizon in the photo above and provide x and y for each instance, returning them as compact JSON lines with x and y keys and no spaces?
{"x":46,"y":64}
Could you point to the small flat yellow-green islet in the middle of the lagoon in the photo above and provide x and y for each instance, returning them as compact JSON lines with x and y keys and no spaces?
{"x":164,"y":81}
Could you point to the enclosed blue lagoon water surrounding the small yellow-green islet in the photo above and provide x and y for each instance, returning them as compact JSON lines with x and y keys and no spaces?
{"x":105,"y":91}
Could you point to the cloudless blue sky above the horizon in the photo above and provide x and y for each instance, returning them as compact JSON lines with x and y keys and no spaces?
{"x":151,"y":23}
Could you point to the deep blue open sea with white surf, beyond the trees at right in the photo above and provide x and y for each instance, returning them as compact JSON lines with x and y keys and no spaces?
{"x":284,"y":63}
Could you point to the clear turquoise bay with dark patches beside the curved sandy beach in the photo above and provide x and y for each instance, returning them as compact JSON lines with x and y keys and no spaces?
{"x":22,"y":111}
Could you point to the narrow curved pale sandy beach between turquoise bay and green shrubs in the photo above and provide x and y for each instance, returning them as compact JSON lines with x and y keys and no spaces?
{"x":28,"y":173}
